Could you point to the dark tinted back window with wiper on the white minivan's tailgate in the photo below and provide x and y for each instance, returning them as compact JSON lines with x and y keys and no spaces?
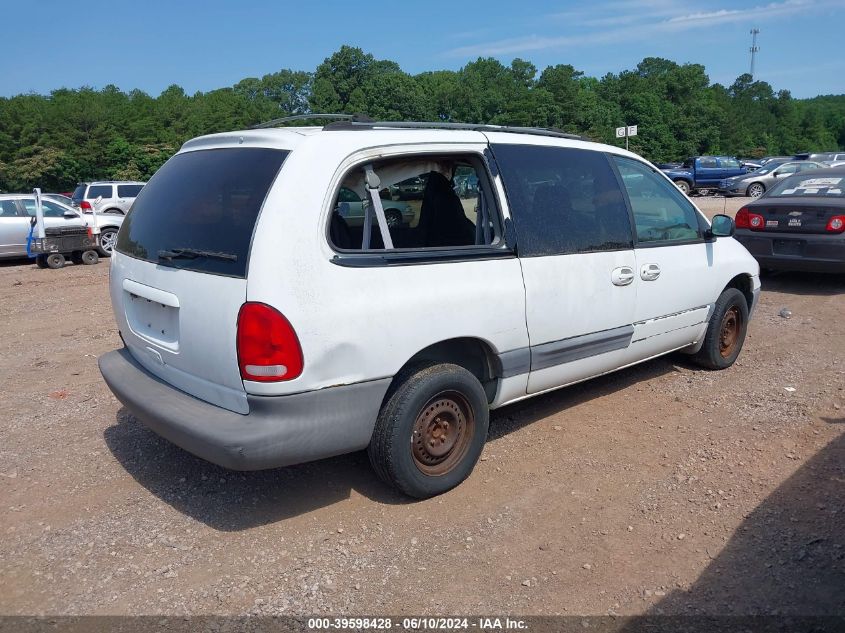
{"x":199,"y":210}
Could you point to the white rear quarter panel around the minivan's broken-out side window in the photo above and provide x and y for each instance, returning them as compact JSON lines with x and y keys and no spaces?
{"x":359,"y":324}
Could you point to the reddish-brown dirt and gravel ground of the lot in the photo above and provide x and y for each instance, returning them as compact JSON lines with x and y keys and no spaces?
{"x":659,"y":489}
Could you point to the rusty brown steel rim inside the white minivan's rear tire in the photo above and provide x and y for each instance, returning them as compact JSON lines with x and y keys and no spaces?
{"x":442,"y":433}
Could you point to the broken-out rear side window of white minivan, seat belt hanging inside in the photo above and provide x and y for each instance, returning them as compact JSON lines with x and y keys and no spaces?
{"x":428,"y":202}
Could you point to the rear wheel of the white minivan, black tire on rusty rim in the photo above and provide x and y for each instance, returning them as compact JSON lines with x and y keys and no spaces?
{"x":436,"y":399}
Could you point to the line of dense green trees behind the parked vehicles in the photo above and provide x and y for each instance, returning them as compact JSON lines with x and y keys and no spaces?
{"x":53,"y":141}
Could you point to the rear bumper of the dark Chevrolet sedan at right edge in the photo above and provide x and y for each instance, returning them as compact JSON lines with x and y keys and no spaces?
{"x":801,"y":252}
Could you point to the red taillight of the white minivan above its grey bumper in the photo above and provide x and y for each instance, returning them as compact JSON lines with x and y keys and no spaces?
{"x":268,"y":348}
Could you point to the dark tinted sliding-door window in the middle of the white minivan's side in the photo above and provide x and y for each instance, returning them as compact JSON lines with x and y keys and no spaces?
{"x":563,"y":200}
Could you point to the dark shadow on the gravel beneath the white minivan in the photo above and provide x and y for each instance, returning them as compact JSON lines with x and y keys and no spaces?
{"x":231,"y":501}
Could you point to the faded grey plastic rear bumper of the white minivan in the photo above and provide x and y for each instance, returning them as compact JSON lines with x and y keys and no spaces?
{"x":278,"y":430}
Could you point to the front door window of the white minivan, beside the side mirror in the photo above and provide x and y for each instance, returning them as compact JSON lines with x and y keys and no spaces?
{"x":661,"y":212}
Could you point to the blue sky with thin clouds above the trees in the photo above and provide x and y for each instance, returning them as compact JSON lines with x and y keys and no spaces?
{"x":151,"y":44}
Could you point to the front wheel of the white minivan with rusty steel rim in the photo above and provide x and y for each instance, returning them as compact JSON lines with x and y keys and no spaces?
{"x":725,"y":332}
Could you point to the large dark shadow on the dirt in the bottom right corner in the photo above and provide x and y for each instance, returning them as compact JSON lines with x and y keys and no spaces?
{"x":786,"y":558}
